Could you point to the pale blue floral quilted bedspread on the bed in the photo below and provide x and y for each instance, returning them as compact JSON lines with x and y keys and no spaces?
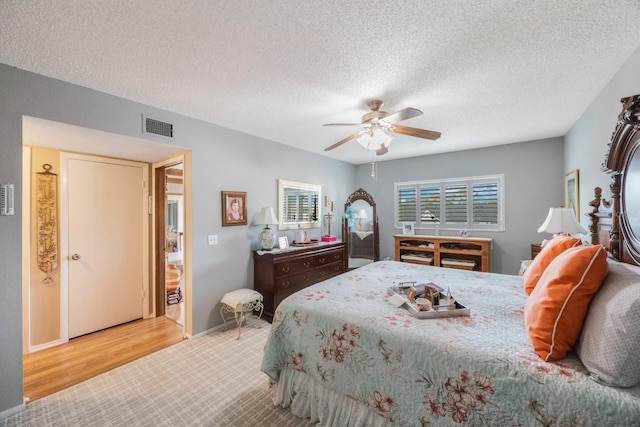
{"x":481,"y":369}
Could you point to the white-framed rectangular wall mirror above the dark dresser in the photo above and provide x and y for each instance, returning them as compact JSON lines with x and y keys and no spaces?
{"x":298,"y":205}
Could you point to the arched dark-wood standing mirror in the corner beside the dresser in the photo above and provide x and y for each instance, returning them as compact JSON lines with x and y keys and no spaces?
{"x":360,"y":229}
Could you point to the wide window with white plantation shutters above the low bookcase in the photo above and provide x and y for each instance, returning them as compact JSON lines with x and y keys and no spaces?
{"x":474,"y":203}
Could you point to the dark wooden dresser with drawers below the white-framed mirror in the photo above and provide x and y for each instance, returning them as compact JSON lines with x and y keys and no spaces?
{"x":280,"y":273}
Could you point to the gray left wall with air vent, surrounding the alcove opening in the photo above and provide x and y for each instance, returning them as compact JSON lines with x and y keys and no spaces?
{"x":222,"y":160}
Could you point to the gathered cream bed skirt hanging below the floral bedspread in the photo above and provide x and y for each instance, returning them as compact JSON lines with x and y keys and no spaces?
{"x":311,"y":400}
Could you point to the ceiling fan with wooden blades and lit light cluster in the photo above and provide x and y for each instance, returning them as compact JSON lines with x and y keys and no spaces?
{"x":377,"y":125}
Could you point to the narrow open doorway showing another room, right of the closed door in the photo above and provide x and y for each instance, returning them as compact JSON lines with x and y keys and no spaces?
{"x":170,"y":240}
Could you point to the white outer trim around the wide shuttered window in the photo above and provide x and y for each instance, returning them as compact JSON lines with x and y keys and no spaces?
{"x":499,"y":178}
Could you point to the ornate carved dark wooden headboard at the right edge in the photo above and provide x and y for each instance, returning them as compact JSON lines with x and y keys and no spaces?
{"x":622,"y":162}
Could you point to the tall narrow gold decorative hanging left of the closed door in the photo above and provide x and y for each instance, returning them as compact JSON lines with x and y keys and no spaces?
{"x":47,"y":191}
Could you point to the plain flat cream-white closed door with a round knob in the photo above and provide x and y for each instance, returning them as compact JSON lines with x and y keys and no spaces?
{"x":106,"y":243}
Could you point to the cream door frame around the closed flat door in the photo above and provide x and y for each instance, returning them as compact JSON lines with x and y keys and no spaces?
{"x":64,"y":240}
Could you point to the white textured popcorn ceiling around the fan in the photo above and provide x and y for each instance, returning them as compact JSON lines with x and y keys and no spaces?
{"x":484,"y":72}
